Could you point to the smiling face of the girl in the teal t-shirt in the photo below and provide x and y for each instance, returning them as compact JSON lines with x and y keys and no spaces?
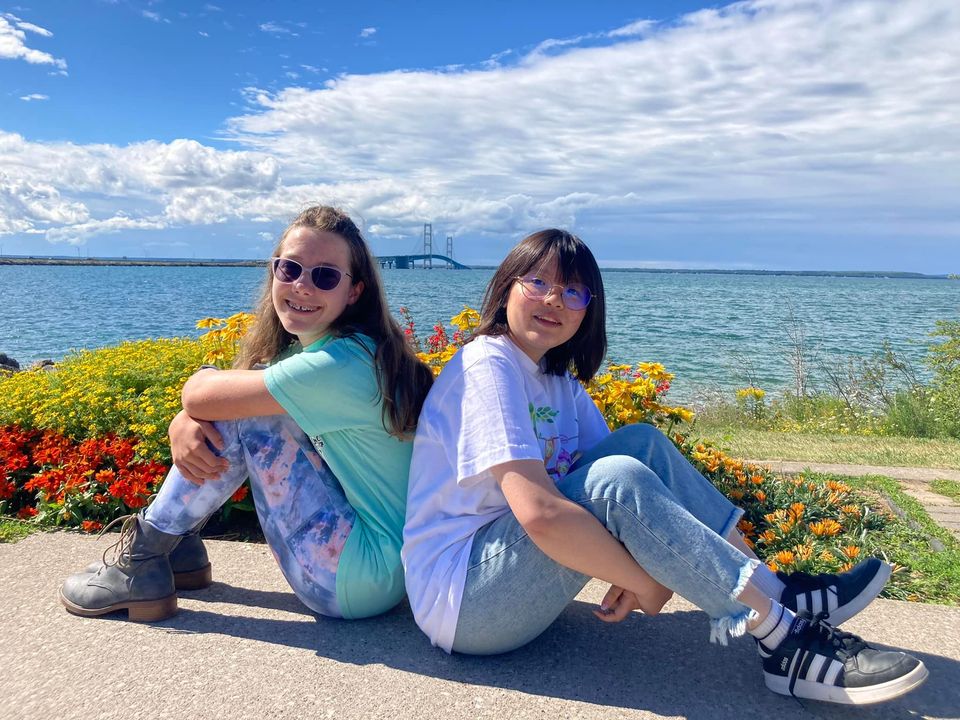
{"x":303,"y":310}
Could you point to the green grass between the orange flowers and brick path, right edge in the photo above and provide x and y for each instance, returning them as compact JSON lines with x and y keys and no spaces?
{"x":926,"y":556}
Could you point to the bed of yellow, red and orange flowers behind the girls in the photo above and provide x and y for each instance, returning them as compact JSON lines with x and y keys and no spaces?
{"x":87,"y":443}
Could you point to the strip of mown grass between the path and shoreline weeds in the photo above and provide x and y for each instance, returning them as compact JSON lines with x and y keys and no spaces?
{"x":853,"y":449}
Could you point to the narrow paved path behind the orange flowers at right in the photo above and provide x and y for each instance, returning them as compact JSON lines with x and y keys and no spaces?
{"x":914,"y":481}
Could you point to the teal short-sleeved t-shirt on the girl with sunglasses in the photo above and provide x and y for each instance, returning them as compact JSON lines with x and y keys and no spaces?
{"x":330,"y":390}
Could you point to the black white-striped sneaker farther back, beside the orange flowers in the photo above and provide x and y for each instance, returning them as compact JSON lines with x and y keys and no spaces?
{"x":839,"y":597}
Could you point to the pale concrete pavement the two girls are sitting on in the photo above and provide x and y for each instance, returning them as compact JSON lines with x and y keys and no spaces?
{"x":246,"y":648}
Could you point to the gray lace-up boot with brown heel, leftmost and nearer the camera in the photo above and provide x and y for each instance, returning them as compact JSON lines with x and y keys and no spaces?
{"x":138,"y":579}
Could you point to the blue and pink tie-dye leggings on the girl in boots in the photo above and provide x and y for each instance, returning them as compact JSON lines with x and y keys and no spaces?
{"x":303,"y":511}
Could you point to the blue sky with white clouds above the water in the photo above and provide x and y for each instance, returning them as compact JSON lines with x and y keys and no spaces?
{"x":764,"y":134}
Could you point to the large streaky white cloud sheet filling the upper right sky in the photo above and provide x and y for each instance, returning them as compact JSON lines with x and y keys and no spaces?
{"x":791,"y":104}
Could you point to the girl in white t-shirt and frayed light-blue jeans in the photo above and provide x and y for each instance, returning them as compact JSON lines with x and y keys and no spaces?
{"x":519,"y":493}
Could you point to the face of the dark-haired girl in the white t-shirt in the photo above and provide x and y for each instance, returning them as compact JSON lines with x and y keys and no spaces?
{"x":537,"y":326}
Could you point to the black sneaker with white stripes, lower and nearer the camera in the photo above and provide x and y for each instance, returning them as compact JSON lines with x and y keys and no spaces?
{"x":819,"y":662}
